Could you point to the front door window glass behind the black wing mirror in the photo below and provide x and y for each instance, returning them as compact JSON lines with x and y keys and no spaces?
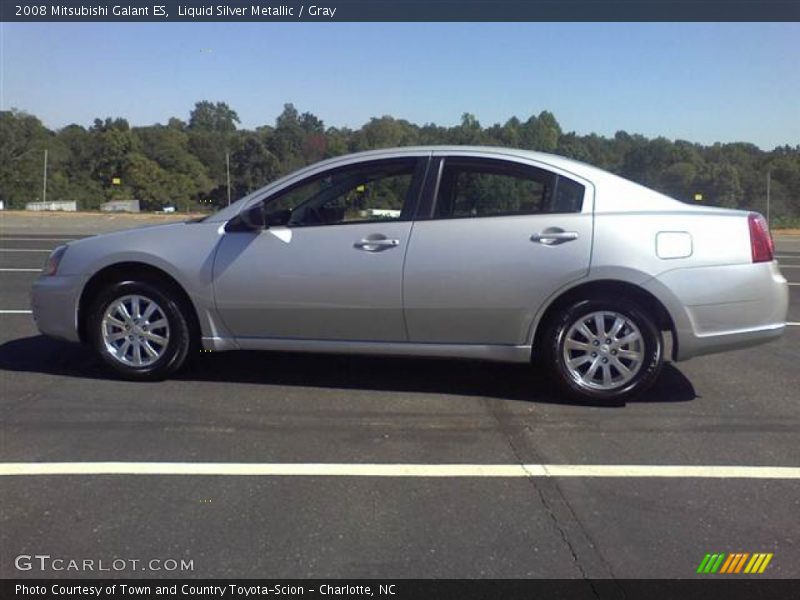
{"x":356,"y":194}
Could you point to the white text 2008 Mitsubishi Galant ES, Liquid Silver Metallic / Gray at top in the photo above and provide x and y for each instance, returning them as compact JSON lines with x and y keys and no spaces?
{"x":160,"y":10}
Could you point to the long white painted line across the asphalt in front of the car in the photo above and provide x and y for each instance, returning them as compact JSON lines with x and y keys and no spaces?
{"x":397,"y":470}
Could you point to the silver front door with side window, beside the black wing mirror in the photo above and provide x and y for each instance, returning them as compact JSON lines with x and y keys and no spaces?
{"x":329,"y":264}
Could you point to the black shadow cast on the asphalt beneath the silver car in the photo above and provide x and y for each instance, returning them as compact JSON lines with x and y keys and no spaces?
{"x":44,"y":355}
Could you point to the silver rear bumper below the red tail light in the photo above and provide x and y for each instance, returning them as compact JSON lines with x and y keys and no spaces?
{"x":715,"y":309}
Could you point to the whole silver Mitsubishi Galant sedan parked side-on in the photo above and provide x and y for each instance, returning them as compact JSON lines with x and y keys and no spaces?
{"x":481,"y":253}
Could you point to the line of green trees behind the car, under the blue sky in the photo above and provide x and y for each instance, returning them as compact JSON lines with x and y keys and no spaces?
{"x":187,"y":164}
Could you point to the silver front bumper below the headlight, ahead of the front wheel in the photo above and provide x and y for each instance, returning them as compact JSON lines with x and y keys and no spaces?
{"x":54,"y":302}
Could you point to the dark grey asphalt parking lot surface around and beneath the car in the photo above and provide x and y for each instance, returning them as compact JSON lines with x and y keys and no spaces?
{"x":736,"y":409}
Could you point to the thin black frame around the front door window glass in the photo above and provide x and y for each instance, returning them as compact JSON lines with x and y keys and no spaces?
{"x":418,"y":173}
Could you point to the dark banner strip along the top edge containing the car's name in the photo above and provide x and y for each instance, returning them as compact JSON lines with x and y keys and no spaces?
{"x":399,"y":10}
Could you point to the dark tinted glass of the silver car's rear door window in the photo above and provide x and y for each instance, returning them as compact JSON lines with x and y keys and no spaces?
{"x":487,"y":188}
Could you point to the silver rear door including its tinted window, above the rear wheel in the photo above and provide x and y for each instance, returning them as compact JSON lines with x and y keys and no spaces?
{"x":499,"y":238}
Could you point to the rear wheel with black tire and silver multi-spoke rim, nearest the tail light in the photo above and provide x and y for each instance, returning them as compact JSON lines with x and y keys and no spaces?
{"x":585,"y":367}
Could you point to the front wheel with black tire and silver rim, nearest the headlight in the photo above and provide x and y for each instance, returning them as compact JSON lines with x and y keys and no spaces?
{"x":162,"y":336}
